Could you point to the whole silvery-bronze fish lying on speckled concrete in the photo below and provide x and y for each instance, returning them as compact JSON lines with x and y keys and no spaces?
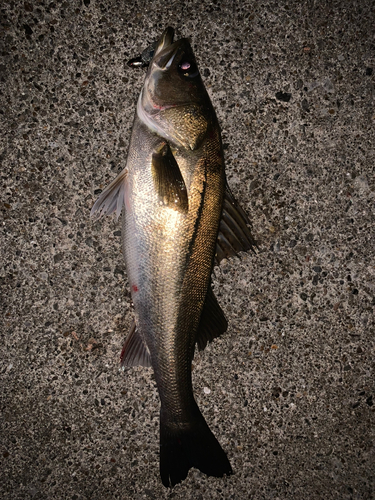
{"x":179,"y":219}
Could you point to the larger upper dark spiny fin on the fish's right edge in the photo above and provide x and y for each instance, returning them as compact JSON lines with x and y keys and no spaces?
{"x":234,"y":234}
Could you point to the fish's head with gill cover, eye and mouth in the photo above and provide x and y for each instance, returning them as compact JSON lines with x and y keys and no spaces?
{"x":174,"y":102}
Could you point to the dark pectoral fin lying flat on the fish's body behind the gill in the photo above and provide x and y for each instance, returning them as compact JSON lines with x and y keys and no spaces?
{"x":168,"y":180}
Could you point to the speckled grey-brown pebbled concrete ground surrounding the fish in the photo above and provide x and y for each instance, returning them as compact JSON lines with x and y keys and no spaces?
{"x":292,"y":382}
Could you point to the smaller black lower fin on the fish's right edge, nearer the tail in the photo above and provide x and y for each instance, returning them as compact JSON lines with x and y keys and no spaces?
{"x":212,"y":323}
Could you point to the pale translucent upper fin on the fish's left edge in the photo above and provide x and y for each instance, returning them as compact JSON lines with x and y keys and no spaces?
{"x":112,"y":198}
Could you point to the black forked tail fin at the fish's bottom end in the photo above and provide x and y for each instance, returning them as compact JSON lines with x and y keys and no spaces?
{"x":187,"y":445}
